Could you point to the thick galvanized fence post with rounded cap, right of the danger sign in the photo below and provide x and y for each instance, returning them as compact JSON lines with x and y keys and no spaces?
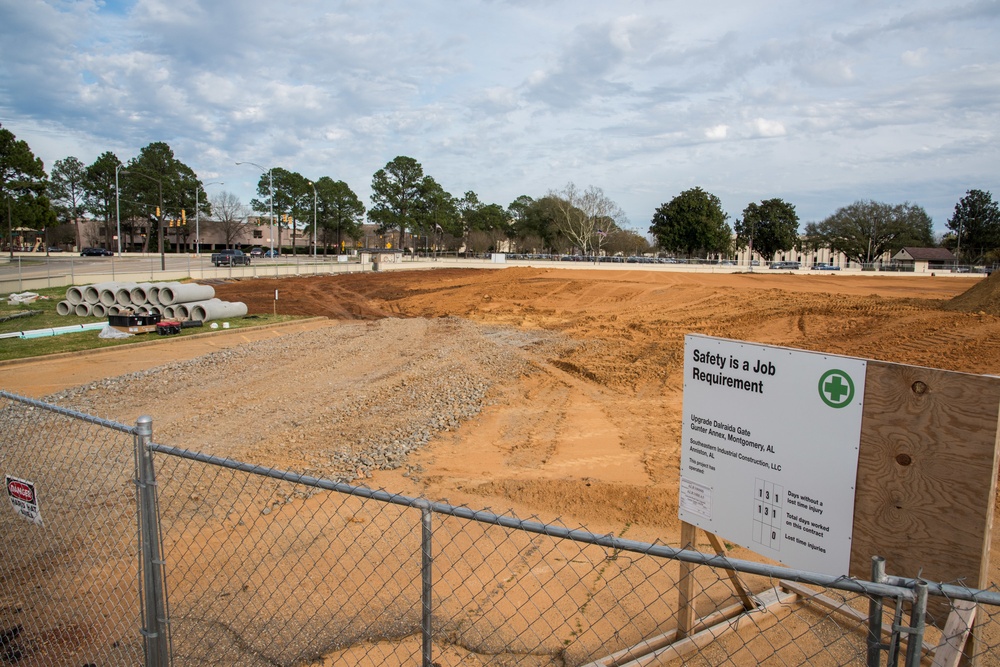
{"x":154,"y":623}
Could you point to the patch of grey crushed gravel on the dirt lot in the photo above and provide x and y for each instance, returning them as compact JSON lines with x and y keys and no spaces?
{"x":336,"y":403}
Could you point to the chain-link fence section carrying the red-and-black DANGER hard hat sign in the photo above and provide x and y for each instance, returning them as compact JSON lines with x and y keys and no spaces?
{"x":69,"y":583}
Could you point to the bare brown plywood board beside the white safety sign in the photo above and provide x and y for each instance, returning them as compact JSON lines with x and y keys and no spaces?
{"x":927,"y":474}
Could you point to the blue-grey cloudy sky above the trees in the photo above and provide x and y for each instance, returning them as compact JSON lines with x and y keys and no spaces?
{"x":819,"y":103}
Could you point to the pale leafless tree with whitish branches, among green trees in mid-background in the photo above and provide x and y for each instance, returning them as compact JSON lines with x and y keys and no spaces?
{"x":586,"y":219}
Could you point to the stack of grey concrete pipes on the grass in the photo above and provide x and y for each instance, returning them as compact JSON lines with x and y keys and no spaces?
{"x":171,"y":300}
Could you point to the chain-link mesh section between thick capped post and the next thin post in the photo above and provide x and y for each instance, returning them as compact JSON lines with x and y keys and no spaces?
{"x":261,"y":571}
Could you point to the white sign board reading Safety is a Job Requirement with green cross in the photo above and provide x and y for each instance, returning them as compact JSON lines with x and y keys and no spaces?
{"x":770,"y":449}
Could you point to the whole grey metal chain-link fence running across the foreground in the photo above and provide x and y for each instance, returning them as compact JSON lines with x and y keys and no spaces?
{"x":118,"y":550}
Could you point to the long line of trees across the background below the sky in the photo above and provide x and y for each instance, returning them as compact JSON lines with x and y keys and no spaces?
{"x":406,"y":202}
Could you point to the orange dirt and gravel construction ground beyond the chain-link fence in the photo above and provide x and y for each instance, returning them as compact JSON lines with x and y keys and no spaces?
{"x":581,"y":413}
